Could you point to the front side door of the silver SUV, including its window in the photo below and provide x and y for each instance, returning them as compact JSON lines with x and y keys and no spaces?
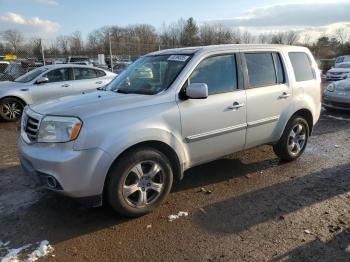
{"x":215,"y":126}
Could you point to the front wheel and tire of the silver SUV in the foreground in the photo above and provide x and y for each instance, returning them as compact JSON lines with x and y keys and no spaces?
{"x":125,"y":177}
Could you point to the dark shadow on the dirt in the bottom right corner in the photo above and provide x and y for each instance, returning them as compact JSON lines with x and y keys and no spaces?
{"x":317,"y":250}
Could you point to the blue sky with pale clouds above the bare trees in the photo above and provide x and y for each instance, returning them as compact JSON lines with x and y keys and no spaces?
{"x":49,"y":18}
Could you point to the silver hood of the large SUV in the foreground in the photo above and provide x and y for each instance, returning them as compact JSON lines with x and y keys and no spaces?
{"x":95,"y":103}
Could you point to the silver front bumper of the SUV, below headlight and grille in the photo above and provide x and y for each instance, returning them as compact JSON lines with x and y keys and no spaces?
{"x":79,"y":174}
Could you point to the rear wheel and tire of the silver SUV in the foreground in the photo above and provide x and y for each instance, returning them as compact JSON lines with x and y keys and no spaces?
{"x":284,"y":148}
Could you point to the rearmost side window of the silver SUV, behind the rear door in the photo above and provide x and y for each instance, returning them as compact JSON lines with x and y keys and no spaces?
{"x":302,"y":66}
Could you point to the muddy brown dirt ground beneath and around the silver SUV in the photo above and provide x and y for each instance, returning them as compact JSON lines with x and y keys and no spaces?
{"x":259,"y":209}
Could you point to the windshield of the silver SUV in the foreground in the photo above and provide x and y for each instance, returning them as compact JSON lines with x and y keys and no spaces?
{"x":149,"y":75}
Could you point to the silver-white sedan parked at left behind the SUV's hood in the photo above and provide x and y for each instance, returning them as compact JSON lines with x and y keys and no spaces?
{"x":49,"y":82}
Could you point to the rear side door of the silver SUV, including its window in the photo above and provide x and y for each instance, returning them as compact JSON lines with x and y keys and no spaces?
{"x":268,"y":93}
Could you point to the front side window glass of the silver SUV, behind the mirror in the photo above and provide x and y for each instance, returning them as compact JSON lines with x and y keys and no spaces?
{"x":219,"y":73}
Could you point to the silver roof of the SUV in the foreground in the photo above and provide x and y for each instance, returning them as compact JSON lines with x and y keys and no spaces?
{"x":211,"y":48}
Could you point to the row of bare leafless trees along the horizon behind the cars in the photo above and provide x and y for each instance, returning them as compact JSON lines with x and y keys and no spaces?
{"x":135,"y":40}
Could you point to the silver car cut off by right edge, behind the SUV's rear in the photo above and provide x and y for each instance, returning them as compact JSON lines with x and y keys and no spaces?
{"x":337,"y":95}
